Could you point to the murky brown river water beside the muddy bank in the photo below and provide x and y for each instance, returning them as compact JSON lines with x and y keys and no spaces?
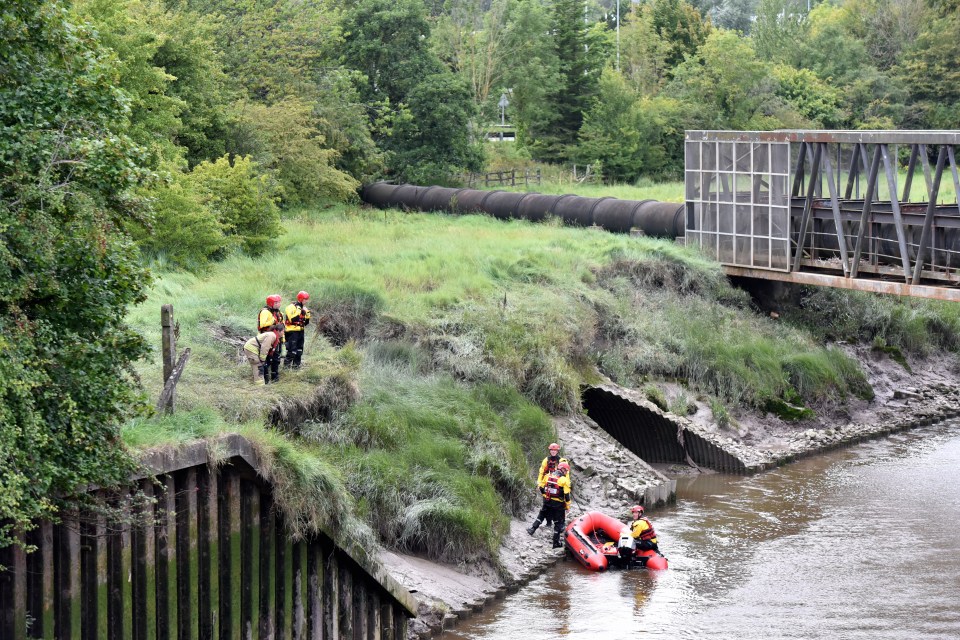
{"x":858,"y":543}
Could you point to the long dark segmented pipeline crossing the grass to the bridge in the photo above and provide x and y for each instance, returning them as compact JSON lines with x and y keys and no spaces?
{"x":653,"y":218}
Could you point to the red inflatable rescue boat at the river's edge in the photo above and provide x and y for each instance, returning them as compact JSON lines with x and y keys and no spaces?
{"x":598,"y":541}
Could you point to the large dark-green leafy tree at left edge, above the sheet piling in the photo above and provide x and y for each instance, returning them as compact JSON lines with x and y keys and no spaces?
{"x":67,"y":171}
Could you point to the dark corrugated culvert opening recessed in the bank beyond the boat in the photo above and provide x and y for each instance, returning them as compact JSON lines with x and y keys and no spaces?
{"x":640,"y":426}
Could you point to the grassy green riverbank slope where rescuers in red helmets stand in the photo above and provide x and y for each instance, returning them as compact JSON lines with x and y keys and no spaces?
{"x":424,"y":402}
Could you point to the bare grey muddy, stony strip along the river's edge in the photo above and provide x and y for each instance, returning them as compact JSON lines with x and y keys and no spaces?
{"x":609,"y":478}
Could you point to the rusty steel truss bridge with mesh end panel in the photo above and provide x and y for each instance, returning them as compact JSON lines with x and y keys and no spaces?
{"x":832,"y":208}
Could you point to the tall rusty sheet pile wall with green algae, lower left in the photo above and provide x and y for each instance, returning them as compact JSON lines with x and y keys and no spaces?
{"x":216,"y":564}
